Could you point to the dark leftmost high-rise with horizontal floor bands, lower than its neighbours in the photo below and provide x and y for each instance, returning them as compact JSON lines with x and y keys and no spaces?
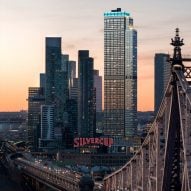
{"x":35,"y":100}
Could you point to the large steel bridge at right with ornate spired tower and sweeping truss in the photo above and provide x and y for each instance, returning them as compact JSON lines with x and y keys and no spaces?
{"x":163,"y":162}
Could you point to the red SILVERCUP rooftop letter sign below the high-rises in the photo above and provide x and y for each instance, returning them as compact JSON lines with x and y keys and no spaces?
{"x":80,"y":142}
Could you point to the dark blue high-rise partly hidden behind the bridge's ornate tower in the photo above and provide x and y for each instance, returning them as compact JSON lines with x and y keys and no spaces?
{"x":162,"y":76}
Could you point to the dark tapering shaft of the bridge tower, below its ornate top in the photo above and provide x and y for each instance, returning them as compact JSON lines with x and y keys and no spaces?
{"x":171,"y":177}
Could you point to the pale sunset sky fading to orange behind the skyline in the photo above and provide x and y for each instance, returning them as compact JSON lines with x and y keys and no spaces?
{"x":24,"y":24}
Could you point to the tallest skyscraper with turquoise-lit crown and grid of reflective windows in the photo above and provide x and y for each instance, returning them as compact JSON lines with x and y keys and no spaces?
{"x":120,"y":74}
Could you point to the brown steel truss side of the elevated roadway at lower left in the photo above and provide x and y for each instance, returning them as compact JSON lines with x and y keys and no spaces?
{"x":41,"y":176}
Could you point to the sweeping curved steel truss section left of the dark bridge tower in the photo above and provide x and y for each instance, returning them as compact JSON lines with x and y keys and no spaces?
{"x":143,"y":169}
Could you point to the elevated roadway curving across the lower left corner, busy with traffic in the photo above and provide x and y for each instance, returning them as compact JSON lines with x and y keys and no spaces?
{"x":41,"y":176}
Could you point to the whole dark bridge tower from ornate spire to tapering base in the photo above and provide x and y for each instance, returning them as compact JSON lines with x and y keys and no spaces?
{"x":172,"y":170}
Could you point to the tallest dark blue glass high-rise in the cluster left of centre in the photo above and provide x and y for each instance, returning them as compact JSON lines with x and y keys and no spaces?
{"x":56,"y":78}
